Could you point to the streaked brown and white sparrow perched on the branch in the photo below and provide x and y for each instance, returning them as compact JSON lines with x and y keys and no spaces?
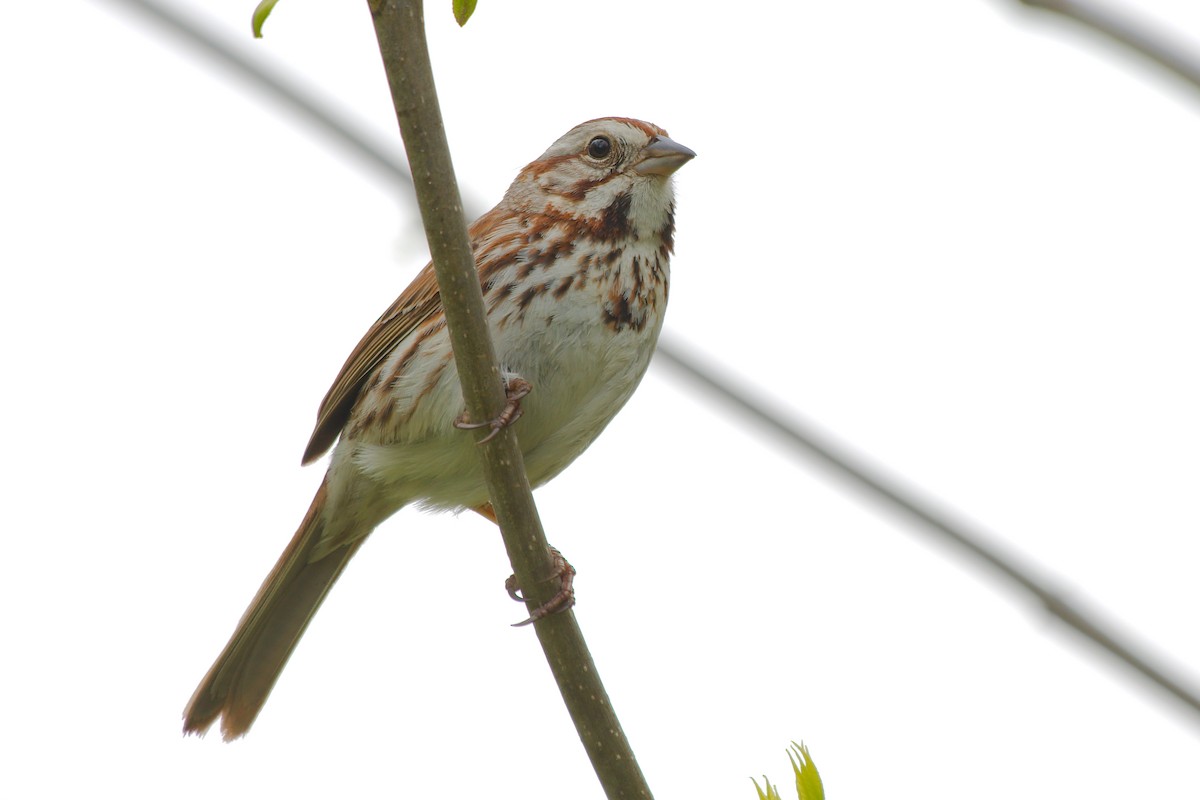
{"x":574,"y":269}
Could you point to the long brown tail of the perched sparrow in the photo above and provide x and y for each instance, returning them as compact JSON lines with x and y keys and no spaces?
{"x":243,"y":676}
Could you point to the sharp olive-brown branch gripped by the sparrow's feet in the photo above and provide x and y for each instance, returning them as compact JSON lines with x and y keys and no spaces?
{"x":400,"y":28}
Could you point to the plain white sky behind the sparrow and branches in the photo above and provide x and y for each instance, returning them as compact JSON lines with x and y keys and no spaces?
{"x":961,"y":236}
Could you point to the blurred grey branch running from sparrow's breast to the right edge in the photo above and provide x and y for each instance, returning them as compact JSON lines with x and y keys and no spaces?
{"x":836,"y":456}
